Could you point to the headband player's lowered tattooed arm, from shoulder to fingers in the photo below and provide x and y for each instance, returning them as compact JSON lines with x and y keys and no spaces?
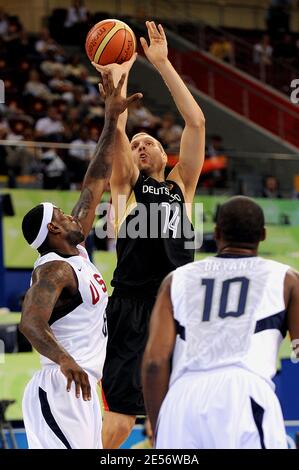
{"x":48,"y":282}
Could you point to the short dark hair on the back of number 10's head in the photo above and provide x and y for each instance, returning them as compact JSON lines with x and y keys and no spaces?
{"x":241,"y":220}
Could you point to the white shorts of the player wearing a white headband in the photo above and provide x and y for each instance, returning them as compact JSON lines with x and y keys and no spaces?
{"x":55,"y":418}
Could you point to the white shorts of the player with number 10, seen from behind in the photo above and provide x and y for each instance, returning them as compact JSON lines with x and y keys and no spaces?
{"x":228,"y":408}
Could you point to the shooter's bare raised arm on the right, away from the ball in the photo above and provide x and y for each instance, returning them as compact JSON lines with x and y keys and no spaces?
{"x":187,"y":171}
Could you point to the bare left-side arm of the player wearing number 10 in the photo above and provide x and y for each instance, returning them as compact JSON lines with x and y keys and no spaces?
{"x":158,"y":352}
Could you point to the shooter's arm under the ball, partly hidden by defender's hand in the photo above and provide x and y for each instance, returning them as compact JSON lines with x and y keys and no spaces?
{"x":124,"y":170}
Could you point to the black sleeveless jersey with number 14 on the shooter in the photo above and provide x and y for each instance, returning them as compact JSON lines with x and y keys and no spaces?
{"x":155,"y":237}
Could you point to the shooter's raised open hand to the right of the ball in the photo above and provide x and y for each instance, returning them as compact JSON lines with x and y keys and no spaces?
{"x":157,"y":51}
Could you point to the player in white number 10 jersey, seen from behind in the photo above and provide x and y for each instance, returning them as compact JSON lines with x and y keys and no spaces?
{"x":214,"y":337}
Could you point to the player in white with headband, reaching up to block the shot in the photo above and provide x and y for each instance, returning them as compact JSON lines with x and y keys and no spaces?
{"x":64,"y":310}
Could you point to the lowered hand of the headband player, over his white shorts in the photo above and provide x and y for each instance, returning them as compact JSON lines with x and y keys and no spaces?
{"x":75,"y":373}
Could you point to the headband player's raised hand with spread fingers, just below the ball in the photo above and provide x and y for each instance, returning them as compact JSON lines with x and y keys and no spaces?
{"x":115,"y":103}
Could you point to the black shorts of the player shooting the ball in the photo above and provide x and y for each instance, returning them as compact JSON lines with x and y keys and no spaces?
{"x":127,"y":321}
